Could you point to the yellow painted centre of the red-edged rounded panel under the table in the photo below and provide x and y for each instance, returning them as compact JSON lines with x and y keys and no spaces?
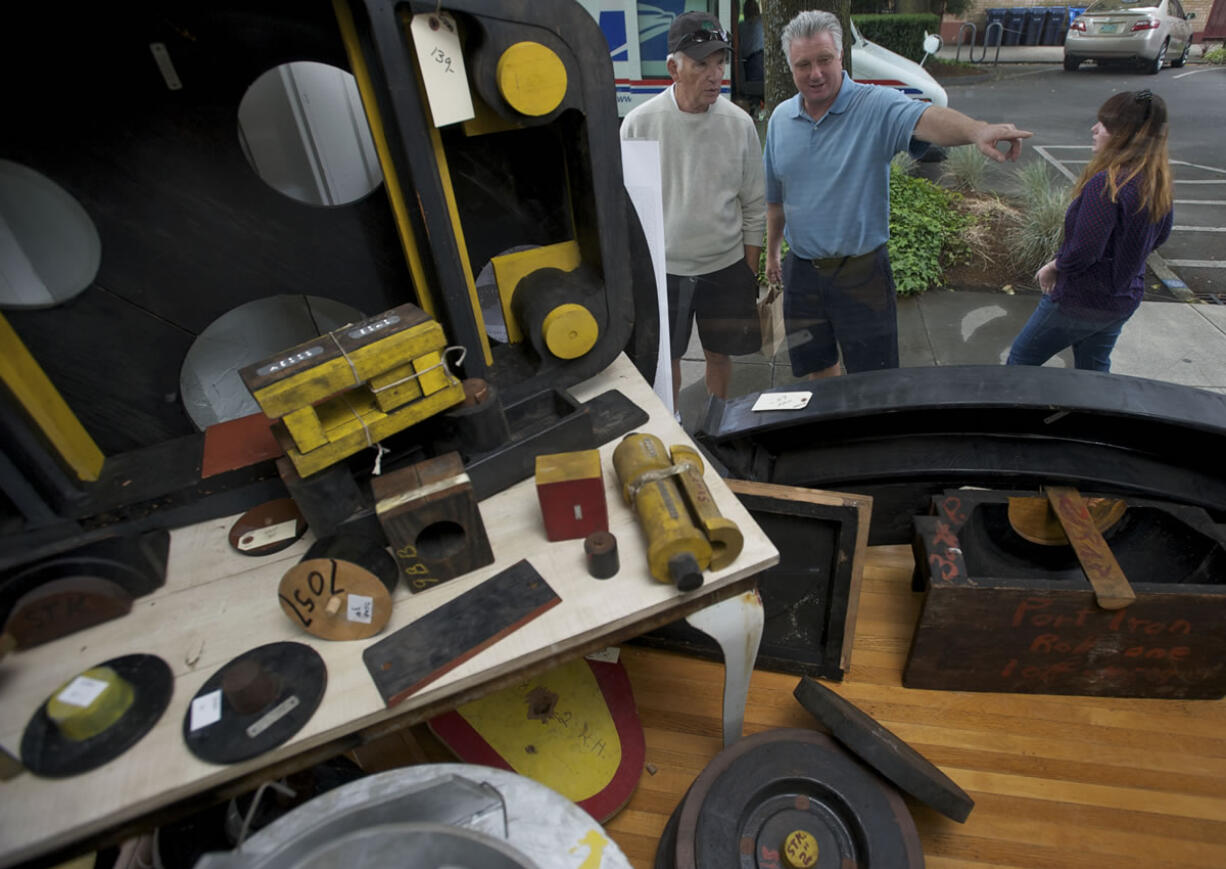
{"x":576,"y":749}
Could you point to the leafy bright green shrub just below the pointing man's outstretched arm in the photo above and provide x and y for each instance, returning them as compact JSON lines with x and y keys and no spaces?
{"x":926,"y":230}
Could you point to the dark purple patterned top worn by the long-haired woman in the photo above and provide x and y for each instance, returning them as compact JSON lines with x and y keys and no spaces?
{"x":1102,"y":265}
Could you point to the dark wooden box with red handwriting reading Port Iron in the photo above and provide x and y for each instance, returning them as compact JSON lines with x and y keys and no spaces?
{"x":1002,"y":613}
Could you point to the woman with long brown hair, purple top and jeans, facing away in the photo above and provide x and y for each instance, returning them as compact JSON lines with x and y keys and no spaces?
{"x":1121,"y":211}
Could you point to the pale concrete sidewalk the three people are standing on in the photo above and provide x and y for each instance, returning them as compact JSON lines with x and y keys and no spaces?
{"x":1171,"y":341}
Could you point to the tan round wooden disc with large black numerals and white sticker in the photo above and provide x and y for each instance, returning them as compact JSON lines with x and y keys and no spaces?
{"x":335,"y":600}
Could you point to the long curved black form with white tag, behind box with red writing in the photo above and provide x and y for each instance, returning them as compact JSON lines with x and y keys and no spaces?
{"x":908,"y":434}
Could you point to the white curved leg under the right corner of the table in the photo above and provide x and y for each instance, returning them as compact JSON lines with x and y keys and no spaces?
{"x":737,"y":626}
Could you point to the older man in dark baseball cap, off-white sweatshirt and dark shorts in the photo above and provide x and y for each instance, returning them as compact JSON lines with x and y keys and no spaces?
{"x":715,"y":202}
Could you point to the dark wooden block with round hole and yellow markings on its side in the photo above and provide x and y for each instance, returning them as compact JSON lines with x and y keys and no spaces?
{"x":432,"y":522}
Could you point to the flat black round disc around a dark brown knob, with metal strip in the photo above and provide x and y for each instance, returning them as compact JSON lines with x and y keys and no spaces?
{"x":300,"y":678}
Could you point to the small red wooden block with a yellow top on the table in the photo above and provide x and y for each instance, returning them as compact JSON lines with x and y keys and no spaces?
{"x":572,"y":492}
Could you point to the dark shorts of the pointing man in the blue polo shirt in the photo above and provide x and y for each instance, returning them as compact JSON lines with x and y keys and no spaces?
{"x":848,"y":303}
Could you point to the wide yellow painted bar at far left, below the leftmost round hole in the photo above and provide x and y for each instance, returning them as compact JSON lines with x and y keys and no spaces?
{"x":44,"y":403}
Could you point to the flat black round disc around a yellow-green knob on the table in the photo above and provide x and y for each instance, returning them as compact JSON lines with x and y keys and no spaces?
{"x":47,"y":753}
